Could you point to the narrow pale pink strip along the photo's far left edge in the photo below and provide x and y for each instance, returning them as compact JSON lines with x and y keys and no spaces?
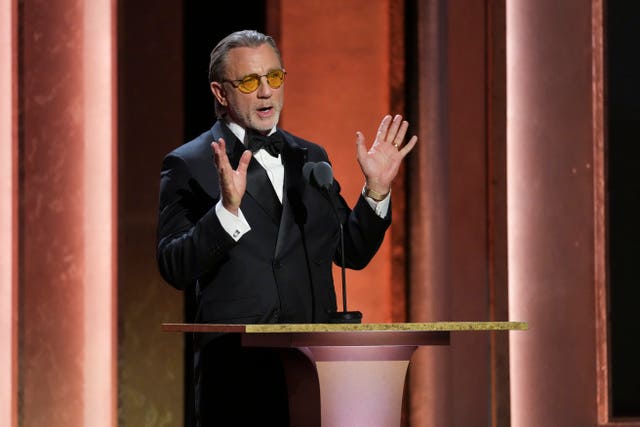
{"x":8,"y":214}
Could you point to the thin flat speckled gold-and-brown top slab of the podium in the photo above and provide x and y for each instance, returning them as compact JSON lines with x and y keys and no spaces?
{"x":345,"y":327}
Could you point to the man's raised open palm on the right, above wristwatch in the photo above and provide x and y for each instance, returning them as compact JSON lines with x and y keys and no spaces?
{"x":380,"y":164}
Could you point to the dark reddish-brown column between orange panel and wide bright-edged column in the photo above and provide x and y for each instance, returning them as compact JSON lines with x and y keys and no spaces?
{"x":458,"y":212}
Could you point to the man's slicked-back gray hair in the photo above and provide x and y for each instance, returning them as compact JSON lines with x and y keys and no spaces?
{"x":218,"y":57}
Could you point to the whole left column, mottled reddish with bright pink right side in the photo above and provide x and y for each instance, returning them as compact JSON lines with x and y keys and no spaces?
{"x":67,"y":198}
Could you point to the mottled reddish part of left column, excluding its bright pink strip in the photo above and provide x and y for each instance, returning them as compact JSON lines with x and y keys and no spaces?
{"x":52,"y":257}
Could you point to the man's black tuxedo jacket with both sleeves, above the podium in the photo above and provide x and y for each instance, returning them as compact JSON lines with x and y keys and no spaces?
{"x":278,"y":272}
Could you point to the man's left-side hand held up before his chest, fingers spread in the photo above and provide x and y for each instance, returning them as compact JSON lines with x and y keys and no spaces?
{"x":232,"y":182}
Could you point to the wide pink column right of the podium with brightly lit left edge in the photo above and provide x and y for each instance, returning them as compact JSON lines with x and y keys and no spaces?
{"x":551,"y":221}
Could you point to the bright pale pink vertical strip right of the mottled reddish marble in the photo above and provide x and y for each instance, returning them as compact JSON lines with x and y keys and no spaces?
{"x":100,"y":193}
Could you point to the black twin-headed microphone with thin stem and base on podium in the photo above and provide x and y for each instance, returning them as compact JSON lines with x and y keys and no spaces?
{"x":320,"y":174}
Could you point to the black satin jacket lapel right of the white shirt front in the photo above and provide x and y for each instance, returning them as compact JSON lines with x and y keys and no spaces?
{"x":294,"y":212}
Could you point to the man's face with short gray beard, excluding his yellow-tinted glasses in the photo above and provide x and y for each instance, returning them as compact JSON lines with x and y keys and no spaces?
{"x":259,"y":110}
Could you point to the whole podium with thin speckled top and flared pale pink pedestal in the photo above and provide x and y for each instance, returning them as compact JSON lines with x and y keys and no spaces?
{"x":357,"y":370}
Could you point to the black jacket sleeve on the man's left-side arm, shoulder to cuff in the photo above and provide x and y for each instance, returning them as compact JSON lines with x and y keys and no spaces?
{"x":190,"y":238}
